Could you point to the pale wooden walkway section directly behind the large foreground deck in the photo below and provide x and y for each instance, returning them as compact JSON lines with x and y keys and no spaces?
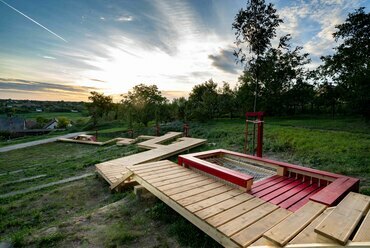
{"x":112,"y":171}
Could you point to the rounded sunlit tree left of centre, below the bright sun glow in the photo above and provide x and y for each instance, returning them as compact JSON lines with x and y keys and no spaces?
{"x":144,"y":103}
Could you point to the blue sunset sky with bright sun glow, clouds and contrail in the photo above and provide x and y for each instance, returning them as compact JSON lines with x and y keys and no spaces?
{"x":62,"y":49}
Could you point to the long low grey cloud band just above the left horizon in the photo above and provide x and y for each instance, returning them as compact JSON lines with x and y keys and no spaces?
{"x":30,"y":86}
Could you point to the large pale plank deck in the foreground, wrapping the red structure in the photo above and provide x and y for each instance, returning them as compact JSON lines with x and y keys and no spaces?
{"x":237,"y":219}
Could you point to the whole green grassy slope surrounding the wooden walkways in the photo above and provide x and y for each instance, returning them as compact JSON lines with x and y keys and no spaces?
{"x":84,"y":213}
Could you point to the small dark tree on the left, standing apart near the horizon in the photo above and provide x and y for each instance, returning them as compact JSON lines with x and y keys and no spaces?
{"x":98,"y":106}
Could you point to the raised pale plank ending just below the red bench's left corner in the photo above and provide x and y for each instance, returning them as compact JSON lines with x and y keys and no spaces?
{"x":282,"y":233}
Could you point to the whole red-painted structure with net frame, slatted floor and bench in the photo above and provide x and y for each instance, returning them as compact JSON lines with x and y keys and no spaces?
{"x":291,"y":187}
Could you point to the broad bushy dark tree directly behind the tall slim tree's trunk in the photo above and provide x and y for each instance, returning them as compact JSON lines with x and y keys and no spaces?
{"x":283,"y":68}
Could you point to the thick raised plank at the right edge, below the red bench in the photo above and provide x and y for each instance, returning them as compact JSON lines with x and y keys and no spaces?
{"x":340,"y":224}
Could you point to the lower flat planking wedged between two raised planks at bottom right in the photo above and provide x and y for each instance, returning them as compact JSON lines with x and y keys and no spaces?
{"x":309,"y":236}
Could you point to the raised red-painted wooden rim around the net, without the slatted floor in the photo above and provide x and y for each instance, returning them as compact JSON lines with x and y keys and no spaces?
{"x":332,"y":187}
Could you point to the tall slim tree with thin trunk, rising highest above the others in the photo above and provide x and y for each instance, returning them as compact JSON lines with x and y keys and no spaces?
{"x":255,"y":26}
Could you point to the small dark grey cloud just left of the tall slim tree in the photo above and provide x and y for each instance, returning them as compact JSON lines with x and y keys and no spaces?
{"x":224,"y":61}
